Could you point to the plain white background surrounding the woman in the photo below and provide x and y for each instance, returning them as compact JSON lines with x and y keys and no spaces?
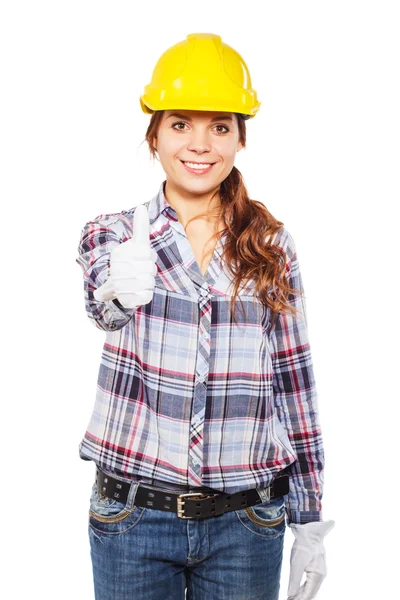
{"x":322,"y":154}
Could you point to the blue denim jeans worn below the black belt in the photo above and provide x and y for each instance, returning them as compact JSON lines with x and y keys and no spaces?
{"x":141,"y":553}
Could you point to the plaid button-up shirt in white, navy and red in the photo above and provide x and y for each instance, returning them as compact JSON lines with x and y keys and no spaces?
{"x":185,"y":396}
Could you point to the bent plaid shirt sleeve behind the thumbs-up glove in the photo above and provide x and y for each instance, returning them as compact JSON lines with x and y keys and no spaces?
{"x":96,"y":243}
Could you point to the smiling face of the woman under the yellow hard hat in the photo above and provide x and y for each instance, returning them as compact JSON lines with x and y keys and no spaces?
{"x":188,"y":136}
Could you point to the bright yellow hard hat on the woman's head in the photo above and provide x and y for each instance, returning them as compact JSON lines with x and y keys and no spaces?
{"x":201,"y":73}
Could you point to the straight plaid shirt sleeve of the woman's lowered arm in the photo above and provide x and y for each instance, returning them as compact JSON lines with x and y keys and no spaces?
{"x":295,"y":400}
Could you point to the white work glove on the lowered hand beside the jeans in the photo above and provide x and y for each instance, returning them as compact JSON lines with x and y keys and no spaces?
{"x":307,"y":556}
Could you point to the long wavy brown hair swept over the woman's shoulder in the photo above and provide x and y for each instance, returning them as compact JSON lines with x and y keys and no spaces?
{"x":248,"y":256}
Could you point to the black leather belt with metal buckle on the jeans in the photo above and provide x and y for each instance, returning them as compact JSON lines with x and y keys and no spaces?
{"x":188,"y":505}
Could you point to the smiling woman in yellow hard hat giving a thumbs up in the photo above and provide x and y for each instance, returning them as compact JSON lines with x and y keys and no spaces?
{"x":205,"y":430}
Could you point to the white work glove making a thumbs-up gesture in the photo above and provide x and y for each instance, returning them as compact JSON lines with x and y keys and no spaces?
{"x":132,"y":266}
